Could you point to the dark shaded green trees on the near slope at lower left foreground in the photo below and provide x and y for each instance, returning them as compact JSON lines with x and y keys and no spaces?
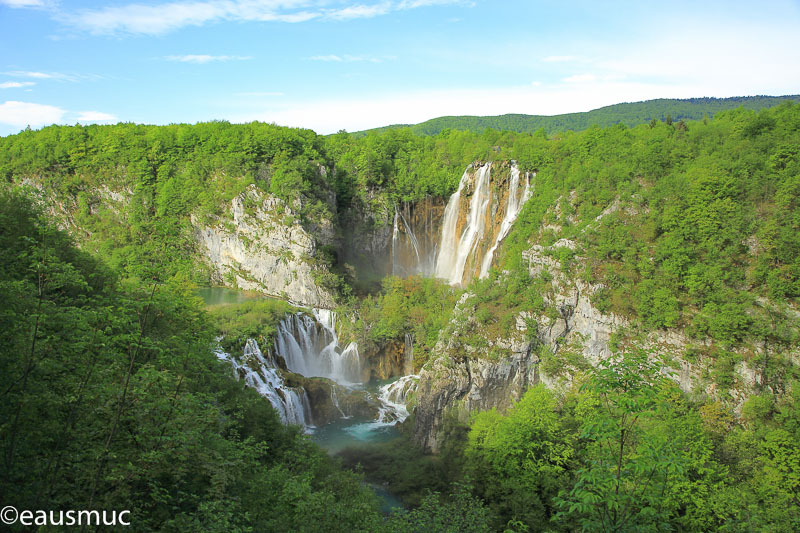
{"x":112,"y":399}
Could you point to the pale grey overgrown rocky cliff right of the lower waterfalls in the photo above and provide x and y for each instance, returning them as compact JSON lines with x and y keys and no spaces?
{"x":472,"y":372}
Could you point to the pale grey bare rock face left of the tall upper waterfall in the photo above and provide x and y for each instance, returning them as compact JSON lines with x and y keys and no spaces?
{"x":262,"y":247}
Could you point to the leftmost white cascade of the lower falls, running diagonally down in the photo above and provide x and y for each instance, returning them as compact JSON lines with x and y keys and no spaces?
{"x":259,"y":372}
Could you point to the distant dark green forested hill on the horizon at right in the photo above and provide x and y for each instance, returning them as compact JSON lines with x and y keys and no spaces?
{"x":631,"y":114}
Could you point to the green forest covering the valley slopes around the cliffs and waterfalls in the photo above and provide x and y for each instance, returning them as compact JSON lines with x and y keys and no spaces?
{"x":110,"y":383}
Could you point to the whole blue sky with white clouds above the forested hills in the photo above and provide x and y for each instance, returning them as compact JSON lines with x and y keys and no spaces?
{"x":342,"y":64}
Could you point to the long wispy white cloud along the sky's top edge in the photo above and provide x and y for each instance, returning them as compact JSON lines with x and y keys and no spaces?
{"x":154,"y":19}
